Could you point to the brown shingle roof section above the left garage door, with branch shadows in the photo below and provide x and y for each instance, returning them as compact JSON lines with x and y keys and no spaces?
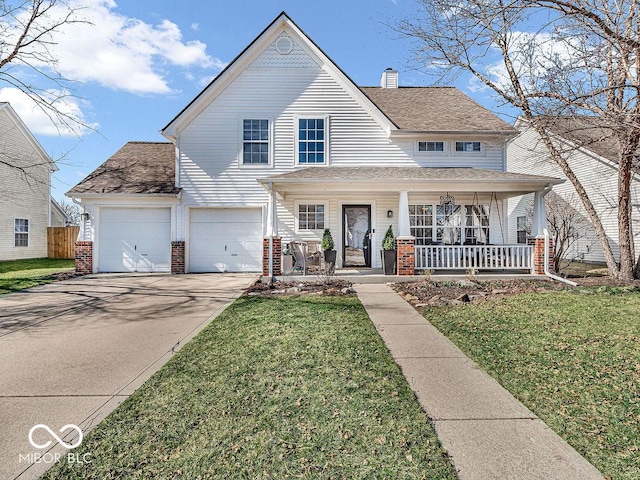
{"x":138,"y":167}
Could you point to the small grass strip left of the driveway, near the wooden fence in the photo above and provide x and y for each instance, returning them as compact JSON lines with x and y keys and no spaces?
{"x":16,"y":275}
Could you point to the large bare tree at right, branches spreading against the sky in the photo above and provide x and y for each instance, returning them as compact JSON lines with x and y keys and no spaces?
{"x":548,"y":58}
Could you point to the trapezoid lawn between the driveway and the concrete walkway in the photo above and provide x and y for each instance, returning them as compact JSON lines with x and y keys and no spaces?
{"x":280,"y":388}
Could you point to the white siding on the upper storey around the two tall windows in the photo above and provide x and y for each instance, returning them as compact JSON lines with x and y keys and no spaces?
{"x":286,"y":88}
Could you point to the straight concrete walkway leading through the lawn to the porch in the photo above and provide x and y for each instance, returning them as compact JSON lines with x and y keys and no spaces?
{"x":487,"y":432}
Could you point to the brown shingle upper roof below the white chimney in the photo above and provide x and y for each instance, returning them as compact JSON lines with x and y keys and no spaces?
{"x":435,"y":109}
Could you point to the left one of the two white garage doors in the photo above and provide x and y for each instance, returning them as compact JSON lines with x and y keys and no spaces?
{"x":135,"y":240}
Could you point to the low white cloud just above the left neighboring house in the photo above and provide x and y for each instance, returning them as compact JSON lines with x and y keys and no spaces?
{"x":40,"y":122}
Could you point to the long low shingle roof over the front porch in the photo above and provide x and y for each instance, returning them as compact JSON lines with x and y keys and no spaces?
{"x":400,"y":174}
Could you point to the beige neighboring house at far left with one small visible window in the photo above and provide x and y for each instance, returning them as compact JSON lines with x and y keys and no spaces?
{"x":25,"y":199}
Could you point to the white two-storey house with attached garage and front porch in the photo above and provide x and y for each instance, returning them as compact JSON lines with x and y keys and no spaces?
{"x":282,"y":145}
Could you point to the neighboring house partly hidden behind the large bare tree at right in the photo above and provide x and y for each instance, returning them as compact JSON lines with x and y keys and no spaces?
{"x":591,"y":151}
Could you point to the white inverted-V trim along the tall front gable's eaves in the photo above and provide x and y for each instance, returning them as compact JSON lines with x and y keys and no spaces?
{"x":238,"y":64}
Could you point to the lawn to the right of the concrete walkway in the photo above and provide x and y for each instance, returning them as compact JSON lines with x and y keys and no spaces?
{"x":573,"y":358}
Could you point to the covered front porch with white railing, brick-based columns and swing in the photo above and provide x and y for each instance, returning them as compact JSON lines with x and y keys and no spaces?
{"x":443,"y":219}
